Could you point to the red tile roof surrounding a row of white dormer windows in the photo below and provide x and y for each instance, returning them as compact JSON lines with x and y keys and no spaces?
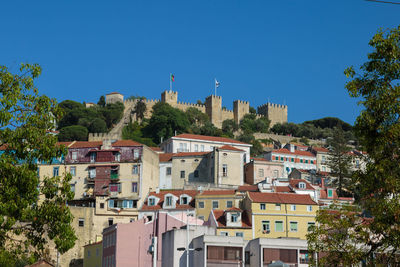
{"x":176,"y":193}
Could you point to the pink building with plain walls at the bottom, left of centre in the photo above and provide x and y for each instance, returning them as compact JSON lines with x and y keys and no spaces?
{"x":133,"y":244}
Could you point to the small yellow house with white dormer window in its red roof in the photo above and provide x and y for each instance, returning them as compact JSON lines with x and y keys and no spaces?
{"x":231,"y":222}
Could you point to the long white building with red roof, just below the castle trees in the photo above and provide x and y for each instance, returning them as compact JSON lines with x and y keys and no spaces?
{"x":202,"y":143}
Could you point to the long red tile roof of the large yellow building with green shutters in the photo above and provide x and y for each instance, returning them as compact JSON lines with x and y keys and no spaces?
{"x":283,"y":198}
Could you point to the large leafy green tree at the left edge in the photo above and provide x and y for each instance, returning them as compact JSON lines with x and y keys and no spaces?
{"x":27,"y":224}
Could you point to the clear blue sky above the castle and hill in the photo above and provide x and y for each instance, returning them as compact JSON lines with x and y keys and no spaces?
{"x":291,"y":51}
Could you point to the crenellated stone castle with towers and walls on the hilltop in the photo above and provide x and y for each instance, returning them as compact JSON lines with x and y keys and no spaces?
{"x":212,"y":107}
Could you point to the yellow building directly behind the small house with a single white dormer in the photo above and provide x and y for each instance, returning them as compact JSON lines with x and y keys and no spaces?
{"x":215,"y":199}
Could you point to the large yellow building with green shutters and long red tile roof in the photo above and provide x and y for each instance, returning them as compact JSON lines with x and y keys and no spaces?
{"x":274,"y":215}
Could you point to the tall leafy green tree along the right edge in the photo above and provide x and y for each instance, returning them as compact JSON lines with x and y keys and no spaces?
{"x":377,"y":128}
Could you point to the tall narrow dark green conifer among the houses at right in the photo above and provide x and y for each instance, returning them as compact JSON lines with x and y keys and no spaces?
{"x":339,"y":161}
